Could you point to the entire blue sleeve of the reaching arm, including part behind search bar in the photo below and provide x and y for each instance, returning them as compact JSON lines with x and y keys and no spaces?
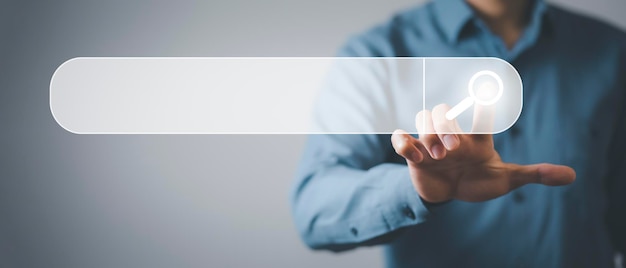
{"x":352,"y":189}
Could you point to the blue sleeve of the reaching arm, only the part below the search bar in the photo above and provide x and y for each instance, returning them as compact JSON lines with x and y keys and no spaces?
{"x":347,"y":196}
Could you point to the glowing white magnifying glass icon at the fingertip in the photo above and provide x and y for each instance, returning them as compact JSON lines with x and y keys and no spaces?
{"x":482,"y":90}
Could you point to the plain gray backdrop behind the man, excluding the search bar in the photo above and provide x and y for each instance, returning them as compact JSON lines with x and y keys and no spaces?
{"x":162,"y":201}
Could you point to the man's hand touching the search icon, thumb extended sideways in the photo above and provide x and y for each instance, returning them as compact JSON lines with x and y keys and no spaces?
{"x":465,"y":166}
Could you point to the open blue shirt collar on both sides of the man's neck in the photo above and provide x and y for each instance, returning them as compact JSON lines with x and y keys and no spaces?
{"x":453,"y":15}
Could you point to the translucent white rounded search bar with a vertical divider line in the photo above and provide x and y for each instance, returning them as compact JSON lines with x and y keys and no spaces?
{"x":264,"y":95}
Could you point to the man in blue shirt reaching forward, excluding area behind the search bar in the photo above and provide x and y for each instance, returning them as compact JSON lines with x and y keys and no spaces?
{"x":412,"y":194}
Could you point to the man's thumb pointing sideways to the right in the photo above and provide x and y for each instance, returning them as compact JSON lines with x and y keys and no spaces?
{"x":546,"y":174}
